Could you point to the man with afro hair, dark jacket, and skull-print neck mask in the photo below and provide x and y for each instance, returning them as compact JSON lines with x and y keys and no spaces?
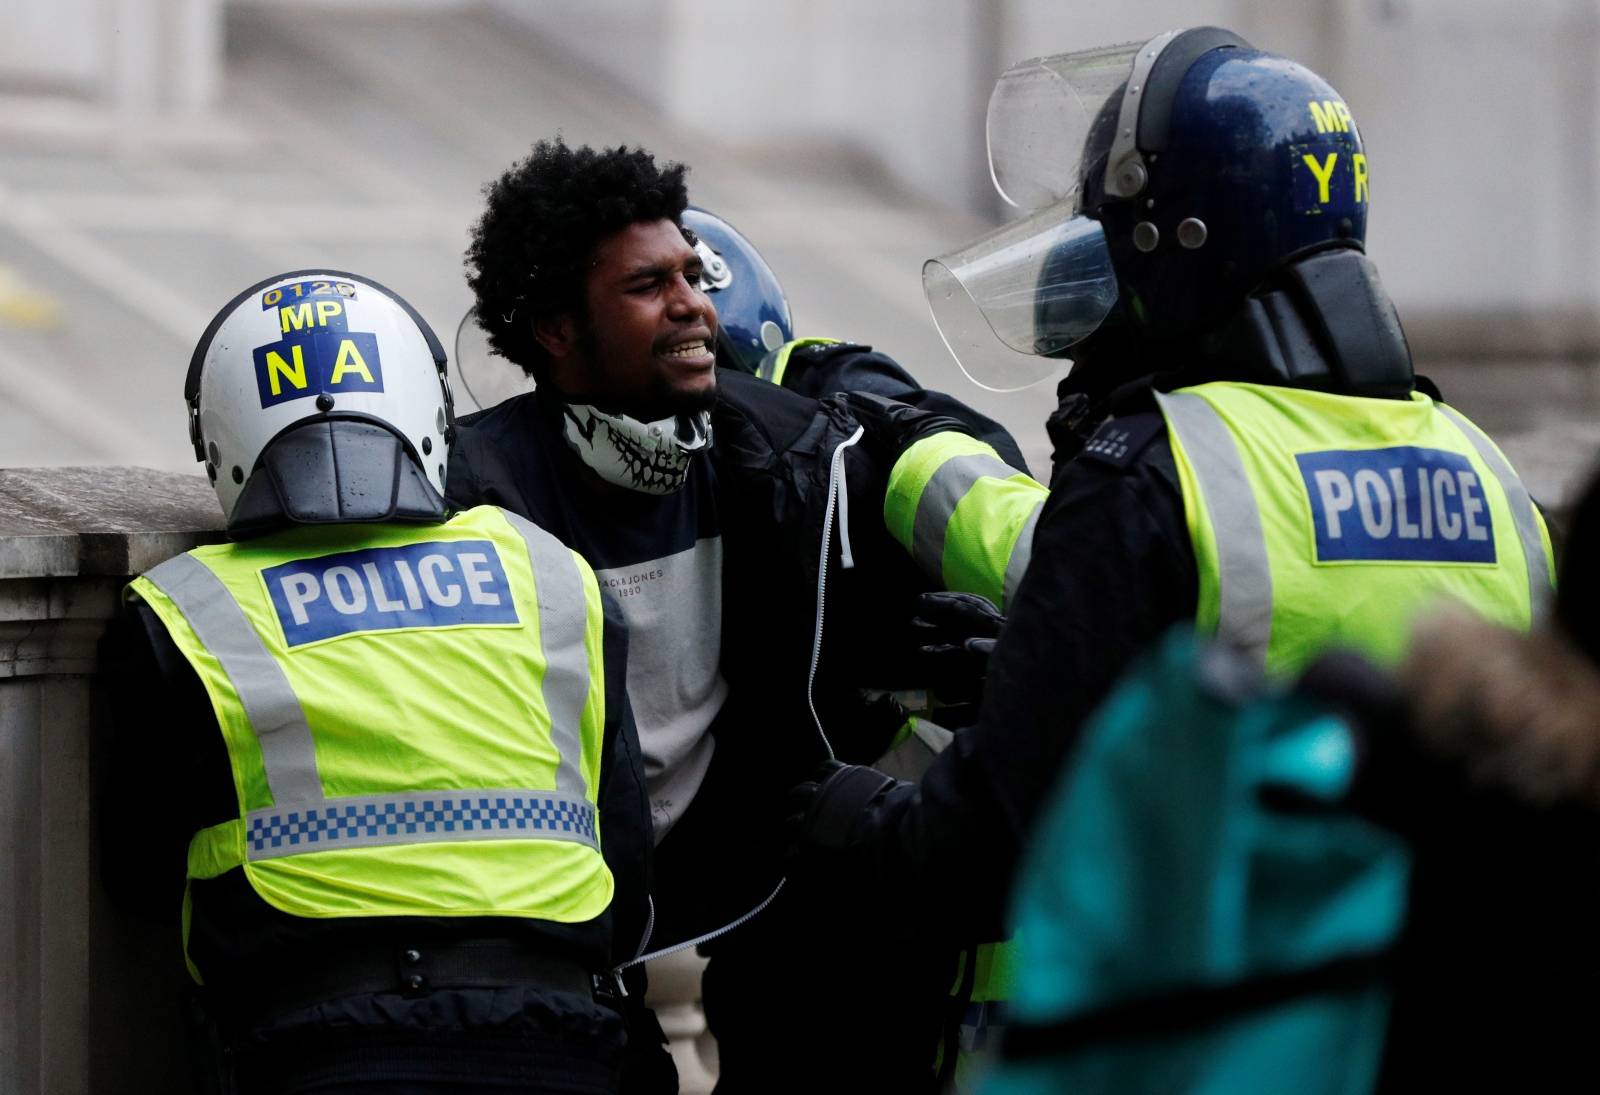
{"x":703,"y":500}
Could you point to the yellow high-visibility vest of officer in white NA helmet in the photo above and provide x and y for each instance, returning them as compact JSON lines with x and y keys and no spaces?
{"x":414,"y":716}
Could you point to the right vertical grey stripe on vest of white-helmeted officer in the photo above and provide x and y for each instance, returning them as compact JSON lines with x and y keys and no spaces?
{"x":564,"y":614}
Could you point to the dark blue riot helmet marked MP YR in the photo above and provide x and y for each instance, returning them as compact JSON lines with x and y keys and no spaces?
{"x":1241,"y":161}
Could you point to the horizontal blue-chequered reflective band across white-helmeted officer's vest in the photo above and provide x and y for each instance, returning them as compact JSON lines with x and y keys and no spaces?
{"x":418,"y":817}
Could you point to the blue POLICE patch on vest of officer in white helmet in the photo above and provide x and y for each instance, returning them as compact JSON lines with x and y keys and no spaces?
{"x":434,"y":585}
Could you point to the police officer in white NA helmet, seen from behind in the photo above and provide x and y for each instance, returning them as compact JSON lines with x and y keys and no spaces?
{"x":394,"y":740}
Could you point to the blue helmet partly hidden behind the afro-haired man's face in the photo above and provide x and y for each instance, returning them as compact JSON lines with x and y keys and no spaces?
{"x":753,"y":311}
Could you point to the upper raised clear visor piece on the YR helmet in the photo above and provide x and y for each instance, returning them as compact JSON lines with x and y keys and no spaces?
{"x":1041,"y":116}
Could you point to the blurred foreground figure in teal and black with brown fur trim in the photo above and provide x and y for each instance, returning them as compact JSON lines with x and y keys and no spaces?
{"x":1418,"y":953}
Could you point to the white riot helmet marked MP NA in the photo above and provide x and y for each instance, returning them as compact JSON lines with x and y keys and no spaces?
{"x":321,"y":398}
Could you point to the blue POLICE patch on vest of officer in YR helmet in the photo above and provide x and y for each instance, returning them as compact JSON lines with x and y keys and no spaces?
{"x":1402,"y":505}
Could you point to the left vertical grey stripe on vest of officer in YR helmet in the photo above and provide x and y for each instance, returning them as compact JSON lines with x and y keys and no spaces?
{"x":1244,"y":574}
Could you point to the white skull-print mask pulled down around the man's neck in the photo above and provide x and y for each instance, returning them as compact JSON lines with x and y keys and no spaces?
{"x":652,"y":459}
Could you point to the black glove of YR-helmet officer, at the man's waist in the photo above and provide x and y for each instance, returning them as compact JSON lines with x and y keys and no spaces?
{"x":839,"y":811}
